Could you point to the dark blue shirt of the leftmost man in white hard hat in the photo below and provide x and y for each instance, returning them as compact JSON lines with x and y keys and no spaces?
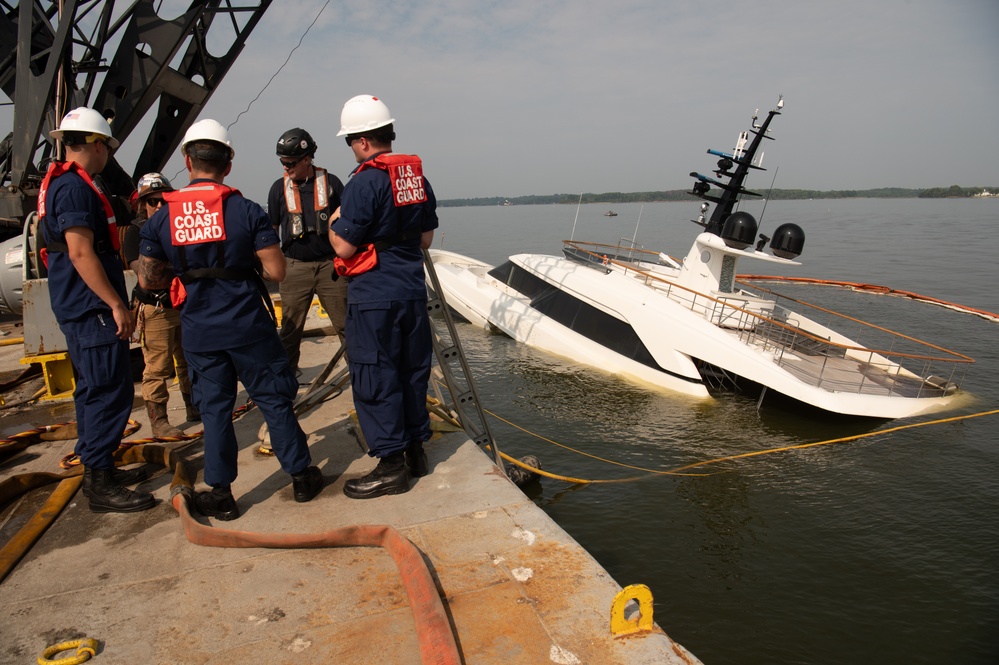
{"x":72,"y":202}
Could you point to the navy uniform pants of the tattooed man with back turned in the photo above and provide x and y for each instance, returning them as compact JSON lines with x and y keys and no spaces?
{"x":263,"y":369}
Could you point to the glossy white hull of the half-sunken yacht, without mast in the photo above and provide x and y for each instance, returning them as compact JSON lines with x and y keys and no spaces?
{"x":677,"y":340}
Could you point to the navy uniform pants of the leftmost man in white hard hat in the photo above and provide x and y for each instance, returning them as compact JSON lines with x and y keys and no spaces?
{"x":104,"y":389}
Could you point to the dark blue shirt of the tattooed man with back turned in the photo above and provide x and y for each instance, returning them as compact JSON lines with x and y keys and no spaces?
{"x":219,"y":313}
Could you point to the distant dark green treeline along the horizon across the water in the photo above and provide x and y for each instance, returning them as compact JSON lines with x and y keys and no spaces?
{"x":954,"y":191}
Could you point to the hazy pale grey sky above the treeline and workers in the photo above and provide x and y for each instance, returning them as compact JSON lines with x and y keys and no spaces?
{"x":547,"y":96}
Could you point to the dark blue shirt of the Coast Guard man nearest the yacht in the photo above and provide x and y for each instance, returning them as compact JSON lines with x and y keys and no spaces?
{"x":368,"y":214}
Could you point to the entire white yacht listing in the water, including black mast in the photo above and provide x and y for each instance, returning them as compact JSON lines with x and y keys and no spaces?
{"x":688,"y":326}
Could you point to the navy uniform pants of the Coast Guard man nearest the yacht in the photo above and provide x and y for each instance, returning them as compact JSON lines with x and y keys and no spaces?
{"x":390,"y":350}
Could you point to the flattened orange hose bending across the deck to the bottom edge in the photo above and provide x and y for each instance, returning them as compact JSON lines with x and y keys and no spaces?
{"x":437,"y":644}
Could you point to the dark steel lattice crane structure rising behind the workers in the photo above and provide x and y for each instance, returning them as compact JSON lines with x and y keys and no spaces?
{"x":147,"y":69}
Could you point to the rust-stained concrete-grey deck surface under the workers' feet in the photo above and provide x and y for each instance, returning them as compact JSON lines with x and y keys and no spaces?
{"x":516,"y":587}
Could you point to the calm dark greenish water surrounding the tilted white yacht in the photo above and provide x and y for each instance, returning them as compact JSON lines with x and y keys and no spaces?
{"x":882,"y":550}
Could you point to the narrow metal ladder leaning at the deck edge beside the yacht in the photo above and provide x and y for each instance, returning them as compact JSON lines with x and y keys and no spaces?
{"x":454,"y":367}
